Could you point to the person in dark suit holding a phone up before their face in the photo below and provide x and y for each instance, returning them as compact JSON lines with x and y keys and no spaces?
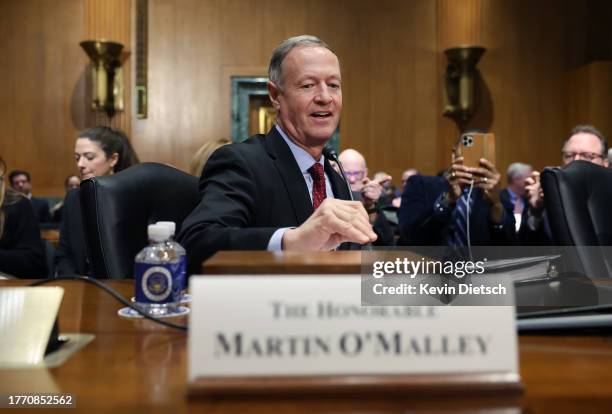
{"x":433,"y":210}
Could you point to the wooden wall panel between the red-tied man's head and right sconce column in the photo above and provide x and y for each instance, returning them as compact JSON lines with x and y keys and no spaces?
{"x":390,"y":93}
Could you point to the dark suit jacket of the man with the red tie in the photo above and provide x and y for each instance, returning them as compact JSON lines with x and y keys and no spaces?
{"x":249,"y":190}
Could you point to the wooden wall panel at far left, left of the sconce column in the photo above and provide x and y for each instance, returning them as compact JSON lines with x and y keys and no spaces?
{"x":41,"y":89}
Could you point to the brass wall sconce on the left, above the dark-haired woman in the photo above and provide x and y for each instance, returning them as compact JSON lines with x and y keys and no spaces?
{"x":107,"y":76}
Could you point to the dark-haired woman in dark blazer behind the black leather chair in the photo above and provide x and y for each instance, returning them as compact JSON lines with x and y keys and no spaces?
{"x":98,"y":151}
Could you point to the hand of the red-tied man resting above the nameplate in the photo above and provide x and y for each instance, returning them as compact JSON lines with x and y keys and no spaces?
{"x":334,"y":222}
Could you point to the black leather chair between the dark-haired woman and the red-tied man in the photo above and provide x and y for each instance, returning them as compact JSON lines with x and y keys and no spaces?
{"x":118,"y":208}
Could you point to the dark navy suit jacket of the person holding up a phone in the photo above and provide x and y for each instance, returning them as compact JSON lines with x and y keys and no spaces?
{"x":420,"y":225}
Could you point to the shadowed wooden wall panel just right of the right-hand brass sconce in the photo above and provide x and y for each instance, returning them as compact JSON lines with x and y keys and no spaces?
{"x":526,"y":72}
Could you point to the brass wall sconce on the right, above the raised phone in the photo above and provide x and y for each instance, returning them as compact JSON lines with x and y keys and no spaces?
{"x":460,"y":81}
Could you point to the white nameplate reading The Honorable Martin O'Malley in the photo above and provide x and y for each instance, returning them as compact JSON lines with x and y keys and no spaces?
{"x":315,"y":326}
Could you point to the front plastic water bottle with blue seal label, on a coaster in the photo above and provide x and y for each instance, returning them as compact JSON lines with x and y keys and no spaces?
{"x":157,"y":272}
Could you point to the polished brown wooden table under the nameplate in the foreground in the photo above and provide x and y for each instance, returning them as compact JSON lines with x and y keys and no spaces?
{"x":138,"y":366}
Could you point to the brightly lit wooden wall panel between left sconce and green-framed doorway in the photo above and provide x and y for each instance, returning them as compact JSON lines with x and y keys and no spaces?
{"x":184,"y":57}
